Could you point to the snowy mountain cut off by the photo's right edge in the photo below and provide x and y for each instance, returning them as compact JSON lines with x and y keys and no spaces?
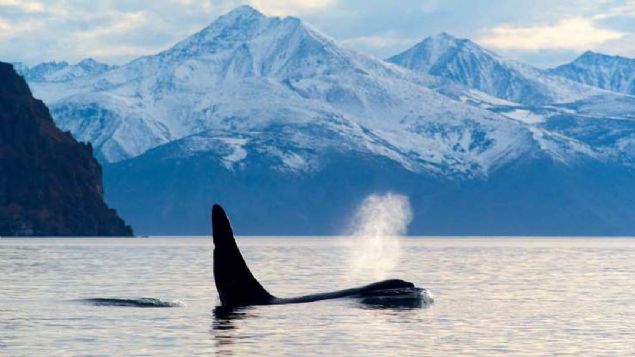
{"x":614,"y":73}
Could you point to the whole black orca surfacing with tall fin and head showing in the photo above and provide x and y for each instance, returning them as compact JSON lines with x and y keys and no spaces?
{"x":237,"y":286}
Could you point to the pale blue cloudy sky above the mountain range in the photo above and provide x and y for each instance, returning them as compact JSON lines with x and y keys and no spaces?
{"x":543,"y":33}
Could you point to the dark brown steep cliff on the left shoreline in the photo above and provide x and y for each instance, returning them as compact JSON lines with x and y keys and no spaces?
{"x":50,"y":184}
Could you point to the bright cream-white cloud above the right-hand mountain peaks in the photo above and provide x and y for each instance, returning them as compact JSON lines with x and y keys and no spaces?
{"x":567,"y":34}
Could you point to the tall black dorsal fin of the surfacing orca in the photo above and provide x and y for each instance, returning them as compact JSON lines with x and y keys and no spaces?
{"x":235,"y":284}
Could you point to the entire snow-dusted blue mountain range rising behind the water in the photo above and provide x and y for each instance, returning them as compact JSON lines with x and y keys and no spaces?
{"x":282,"y":124}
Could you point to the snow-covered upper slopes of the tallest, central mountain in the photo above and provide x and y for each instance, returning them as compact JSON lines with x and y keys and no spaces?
{"x":247,"y":73}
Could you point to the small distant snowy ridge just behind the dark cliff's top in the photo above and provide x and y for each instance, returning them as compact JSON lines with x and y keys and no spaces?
{"x":62,"y":71}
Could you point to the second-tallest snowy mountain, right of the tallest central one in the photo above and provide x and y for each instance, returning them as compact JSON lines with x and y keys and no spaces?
{"x":465,"y":62}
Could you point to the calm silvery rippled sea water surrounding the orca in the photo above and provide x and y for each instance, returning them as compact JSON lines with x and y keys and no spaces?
{"x":492,"y":296}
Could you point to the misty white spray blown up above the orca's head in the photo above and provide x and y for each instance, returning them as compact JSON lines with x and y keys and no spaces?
{"x":376,"y":227}
